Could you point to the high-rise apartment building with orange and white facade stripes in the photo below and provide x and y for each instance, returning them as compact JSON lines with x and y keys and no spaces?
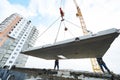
{"x":16,"y":33}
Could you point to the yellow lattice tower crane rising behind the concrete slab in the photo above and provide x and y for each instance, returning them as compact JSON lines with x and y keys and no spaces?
{"x":95,"y":66}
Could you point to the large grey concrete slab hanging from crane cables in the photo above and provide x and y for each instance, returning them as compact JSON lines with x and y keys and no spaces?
{"x":88,"y":46}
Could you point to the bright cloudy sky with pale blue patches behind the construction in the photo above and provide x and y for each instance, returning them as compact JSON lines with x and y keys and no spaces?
{"x":98,"y":15}
